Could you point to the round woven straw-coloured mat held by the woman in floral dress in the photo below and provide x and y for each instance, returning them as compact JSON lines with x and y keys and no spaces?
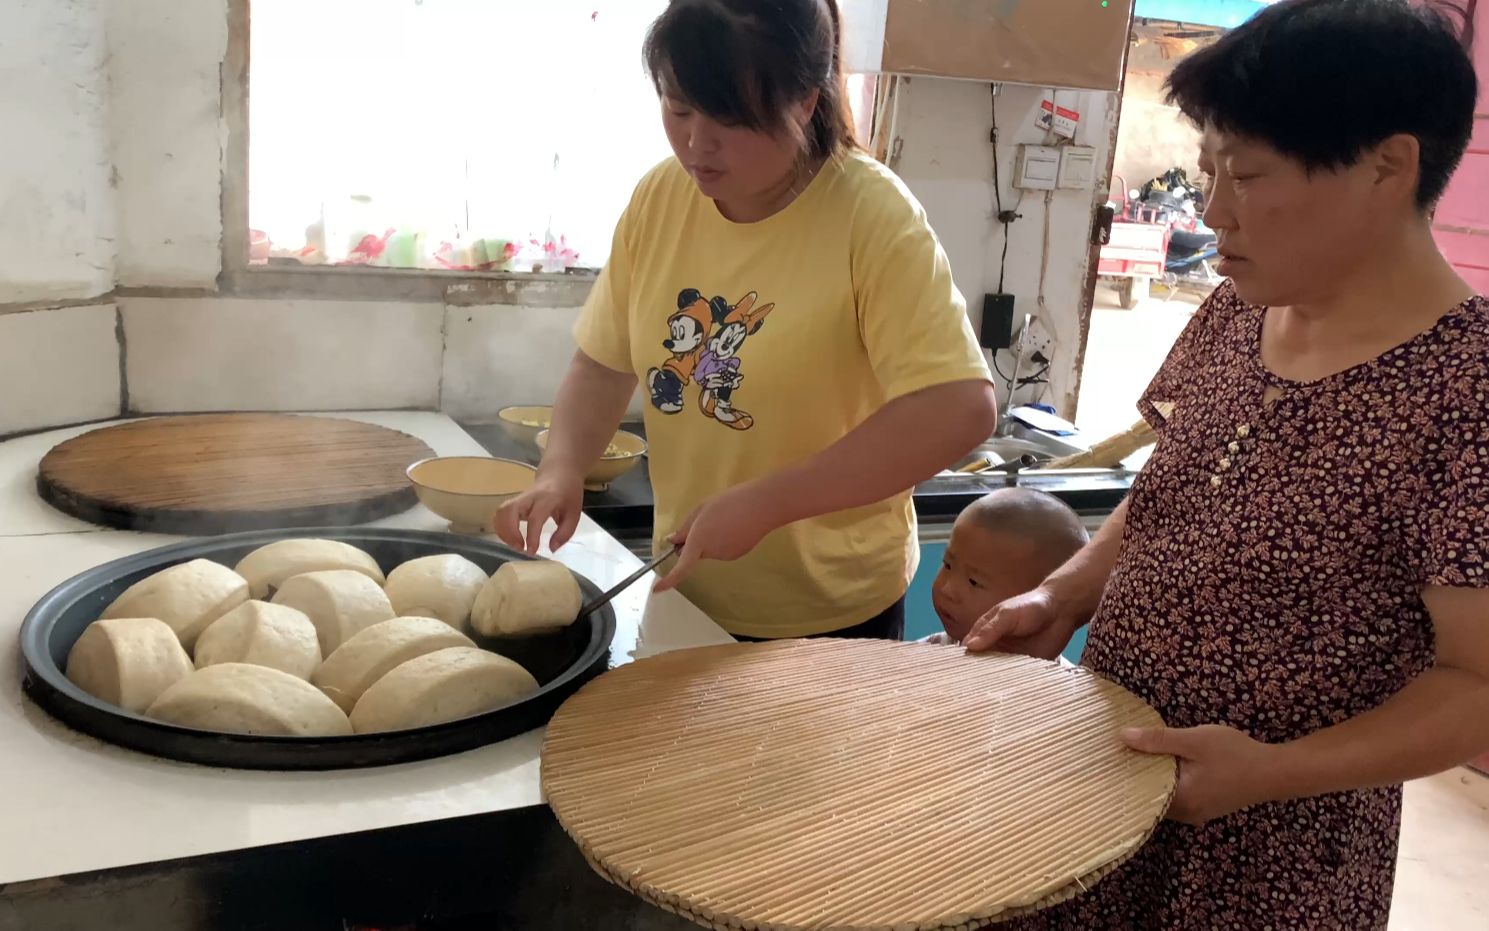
{"x":852,"y":784}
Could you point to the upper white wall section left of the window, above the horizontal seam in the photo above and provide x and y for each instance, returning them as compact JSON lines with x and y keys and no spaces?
{"x":56,"y":202}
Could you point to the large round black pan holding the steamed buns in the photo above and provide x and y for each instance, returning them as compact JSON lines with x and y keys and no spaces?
{"x":561,"y":662}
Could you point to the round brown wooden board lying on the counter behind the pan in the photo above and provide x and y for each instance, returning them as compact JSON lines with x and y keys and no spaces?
{"x":226,"y":473}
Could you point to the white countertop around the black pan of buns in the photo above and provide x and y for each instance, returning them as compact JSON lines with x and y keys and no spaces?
{"x":71,"y":804}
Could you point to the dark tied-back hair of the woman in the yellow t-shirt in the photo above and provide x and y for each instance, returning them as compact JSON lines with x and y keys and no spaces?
{"x":748,"y":62}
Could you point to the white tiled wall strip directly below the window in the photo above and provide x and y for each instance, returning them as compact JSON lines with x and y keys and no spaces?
{"x":236,"y":354}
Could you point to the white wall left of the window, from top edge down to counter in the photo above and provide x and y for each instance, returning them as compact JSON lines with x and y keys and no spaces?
{"x":57,"y":226}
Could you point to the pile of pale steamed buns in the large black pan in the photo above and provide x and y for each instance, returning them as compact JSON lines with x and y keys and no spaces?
{"x":307,"y":638}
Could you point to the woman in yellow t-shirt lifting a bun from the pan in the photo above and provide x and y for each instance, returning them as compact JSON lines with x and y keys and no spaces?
{"x":791,"y":321}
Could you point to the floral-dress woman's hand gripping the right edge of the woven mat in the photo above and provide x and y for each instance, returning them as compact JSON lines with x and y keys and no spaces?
{"x":1222,"y":769}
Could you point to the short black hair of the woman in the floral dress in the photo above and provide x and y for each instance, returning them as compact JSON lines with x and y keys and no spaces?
{"x":1323,"y":81}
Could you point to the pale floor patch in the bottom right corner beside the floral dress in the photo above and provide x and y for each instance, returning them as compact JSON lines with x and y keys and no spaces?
{"x":1444,"y":869}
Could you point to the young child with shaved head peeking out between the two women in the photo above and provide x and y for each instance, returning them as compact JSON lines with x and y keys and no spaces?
{"x":1004,"y":544}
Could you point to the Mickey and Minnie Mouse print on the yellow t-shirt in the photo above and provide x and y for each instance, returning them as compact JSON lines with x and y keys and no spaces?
{"x":705,"y":339}
